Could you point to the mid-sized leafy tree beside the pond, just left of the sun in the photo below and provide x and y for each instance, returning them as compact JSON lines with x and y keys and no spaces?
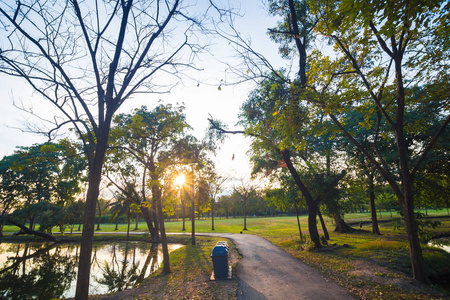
{"x":137,"y":142}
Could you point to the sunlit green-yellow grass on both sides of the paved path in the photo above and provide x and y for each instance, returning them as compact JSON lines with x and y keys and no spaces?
{"x":337,"y":260}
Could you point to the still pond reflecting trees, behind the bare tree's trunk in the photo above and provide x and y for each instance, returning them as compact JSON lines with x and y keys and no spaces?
{"x":47,"y":270}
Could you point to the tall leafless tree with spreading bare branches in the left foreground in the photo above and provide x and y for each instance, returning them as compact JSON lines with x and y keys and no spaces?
{"x":86,"y":59}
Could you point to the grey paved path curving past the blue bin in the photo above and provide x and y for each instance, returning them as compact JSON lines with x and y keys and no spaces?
{"x":267,"y":272}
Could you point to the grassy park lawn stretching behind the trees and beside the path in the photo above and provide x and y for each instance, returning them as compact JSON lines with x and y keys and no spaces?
{"x":370,"y":266}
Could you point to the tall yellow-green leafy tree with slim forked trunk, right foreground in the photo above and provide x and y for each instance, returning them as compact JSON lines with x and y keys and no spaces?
{"x":365,"y":33}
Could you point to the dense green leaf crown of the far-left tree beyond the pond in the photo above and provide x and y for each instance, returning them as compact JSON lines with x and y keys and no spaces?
{"x":50,"y":172}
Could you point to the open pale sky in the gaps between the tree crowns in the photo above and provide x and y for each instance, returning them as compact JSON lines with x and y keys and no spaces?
{"x":201,"y":98}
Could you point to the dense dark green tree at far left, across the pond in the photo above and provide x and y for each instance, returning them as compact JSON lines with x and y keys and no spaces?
{"x":49,"y":174}
